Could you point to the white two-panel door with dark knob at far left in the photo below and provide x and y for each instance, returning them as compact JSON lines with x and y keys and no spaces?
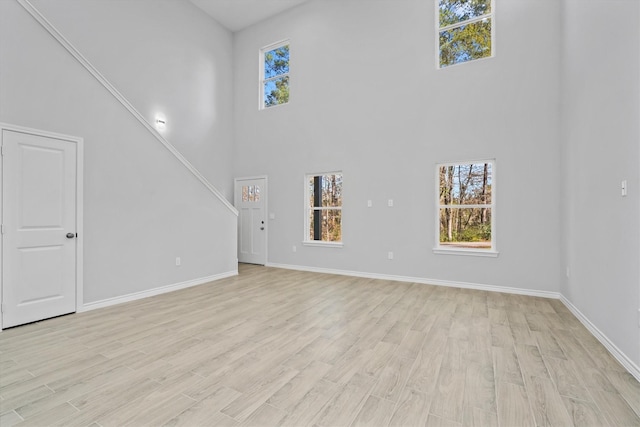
{"x":39,"y":192}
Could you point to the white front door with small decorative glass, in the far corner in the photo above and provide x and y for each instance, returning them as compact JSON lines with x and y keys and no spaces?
{"x":250,"y":200}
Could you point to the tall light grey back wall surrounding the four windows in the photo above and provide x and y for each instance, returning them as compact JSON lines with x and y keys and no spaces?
{"x":367,"y":99}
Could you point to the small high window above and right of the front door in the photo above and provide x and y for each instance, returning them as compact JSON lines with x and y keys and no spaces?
{"x":274,"y":75}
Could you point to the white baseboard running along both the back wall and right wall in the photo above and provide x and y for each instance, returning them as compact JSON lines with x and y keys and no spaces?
{"x":604,"y":340}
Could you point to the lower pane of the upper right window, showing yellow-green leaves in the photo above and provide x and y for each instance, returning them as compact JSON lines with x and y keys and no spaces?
{"x":465,"y":43}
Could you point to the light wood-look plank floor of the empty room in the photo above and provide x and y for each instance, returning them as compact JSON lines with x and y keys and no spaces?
{"x":275,"y":347}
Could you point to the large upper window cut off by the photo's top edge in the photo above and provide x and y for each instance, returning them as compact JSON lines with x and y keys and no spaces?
{"x":465,"y":30}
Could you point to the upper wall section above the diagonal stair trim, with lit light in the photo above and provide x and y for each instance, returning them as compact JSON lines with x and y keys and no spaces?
{"x":165,"y":56}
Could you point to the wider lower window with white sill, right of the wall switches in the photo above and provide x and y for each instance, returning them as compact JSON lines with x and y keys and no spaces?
{"x":466,"y":207}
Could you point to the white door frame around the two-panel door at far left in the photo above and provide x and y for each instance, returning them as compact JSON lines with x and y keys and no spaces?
{"x":79,"y":203}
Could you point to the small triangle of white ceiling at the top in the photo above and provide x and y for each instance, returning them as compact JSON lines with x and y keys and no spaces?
{"x":238,"y":14}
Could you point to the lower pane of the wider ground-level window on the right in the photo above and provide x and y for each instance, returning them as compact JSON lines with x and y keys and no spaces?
{"x":465,"y":227}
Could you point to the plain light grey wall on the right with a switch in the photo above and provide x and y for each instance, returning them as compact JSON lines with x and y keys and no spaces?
{"x":600,"y":115}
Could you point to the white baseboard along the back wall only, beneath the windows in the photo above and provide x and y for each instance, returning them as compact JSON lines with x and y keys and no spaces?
{"x":451,"y":284}
